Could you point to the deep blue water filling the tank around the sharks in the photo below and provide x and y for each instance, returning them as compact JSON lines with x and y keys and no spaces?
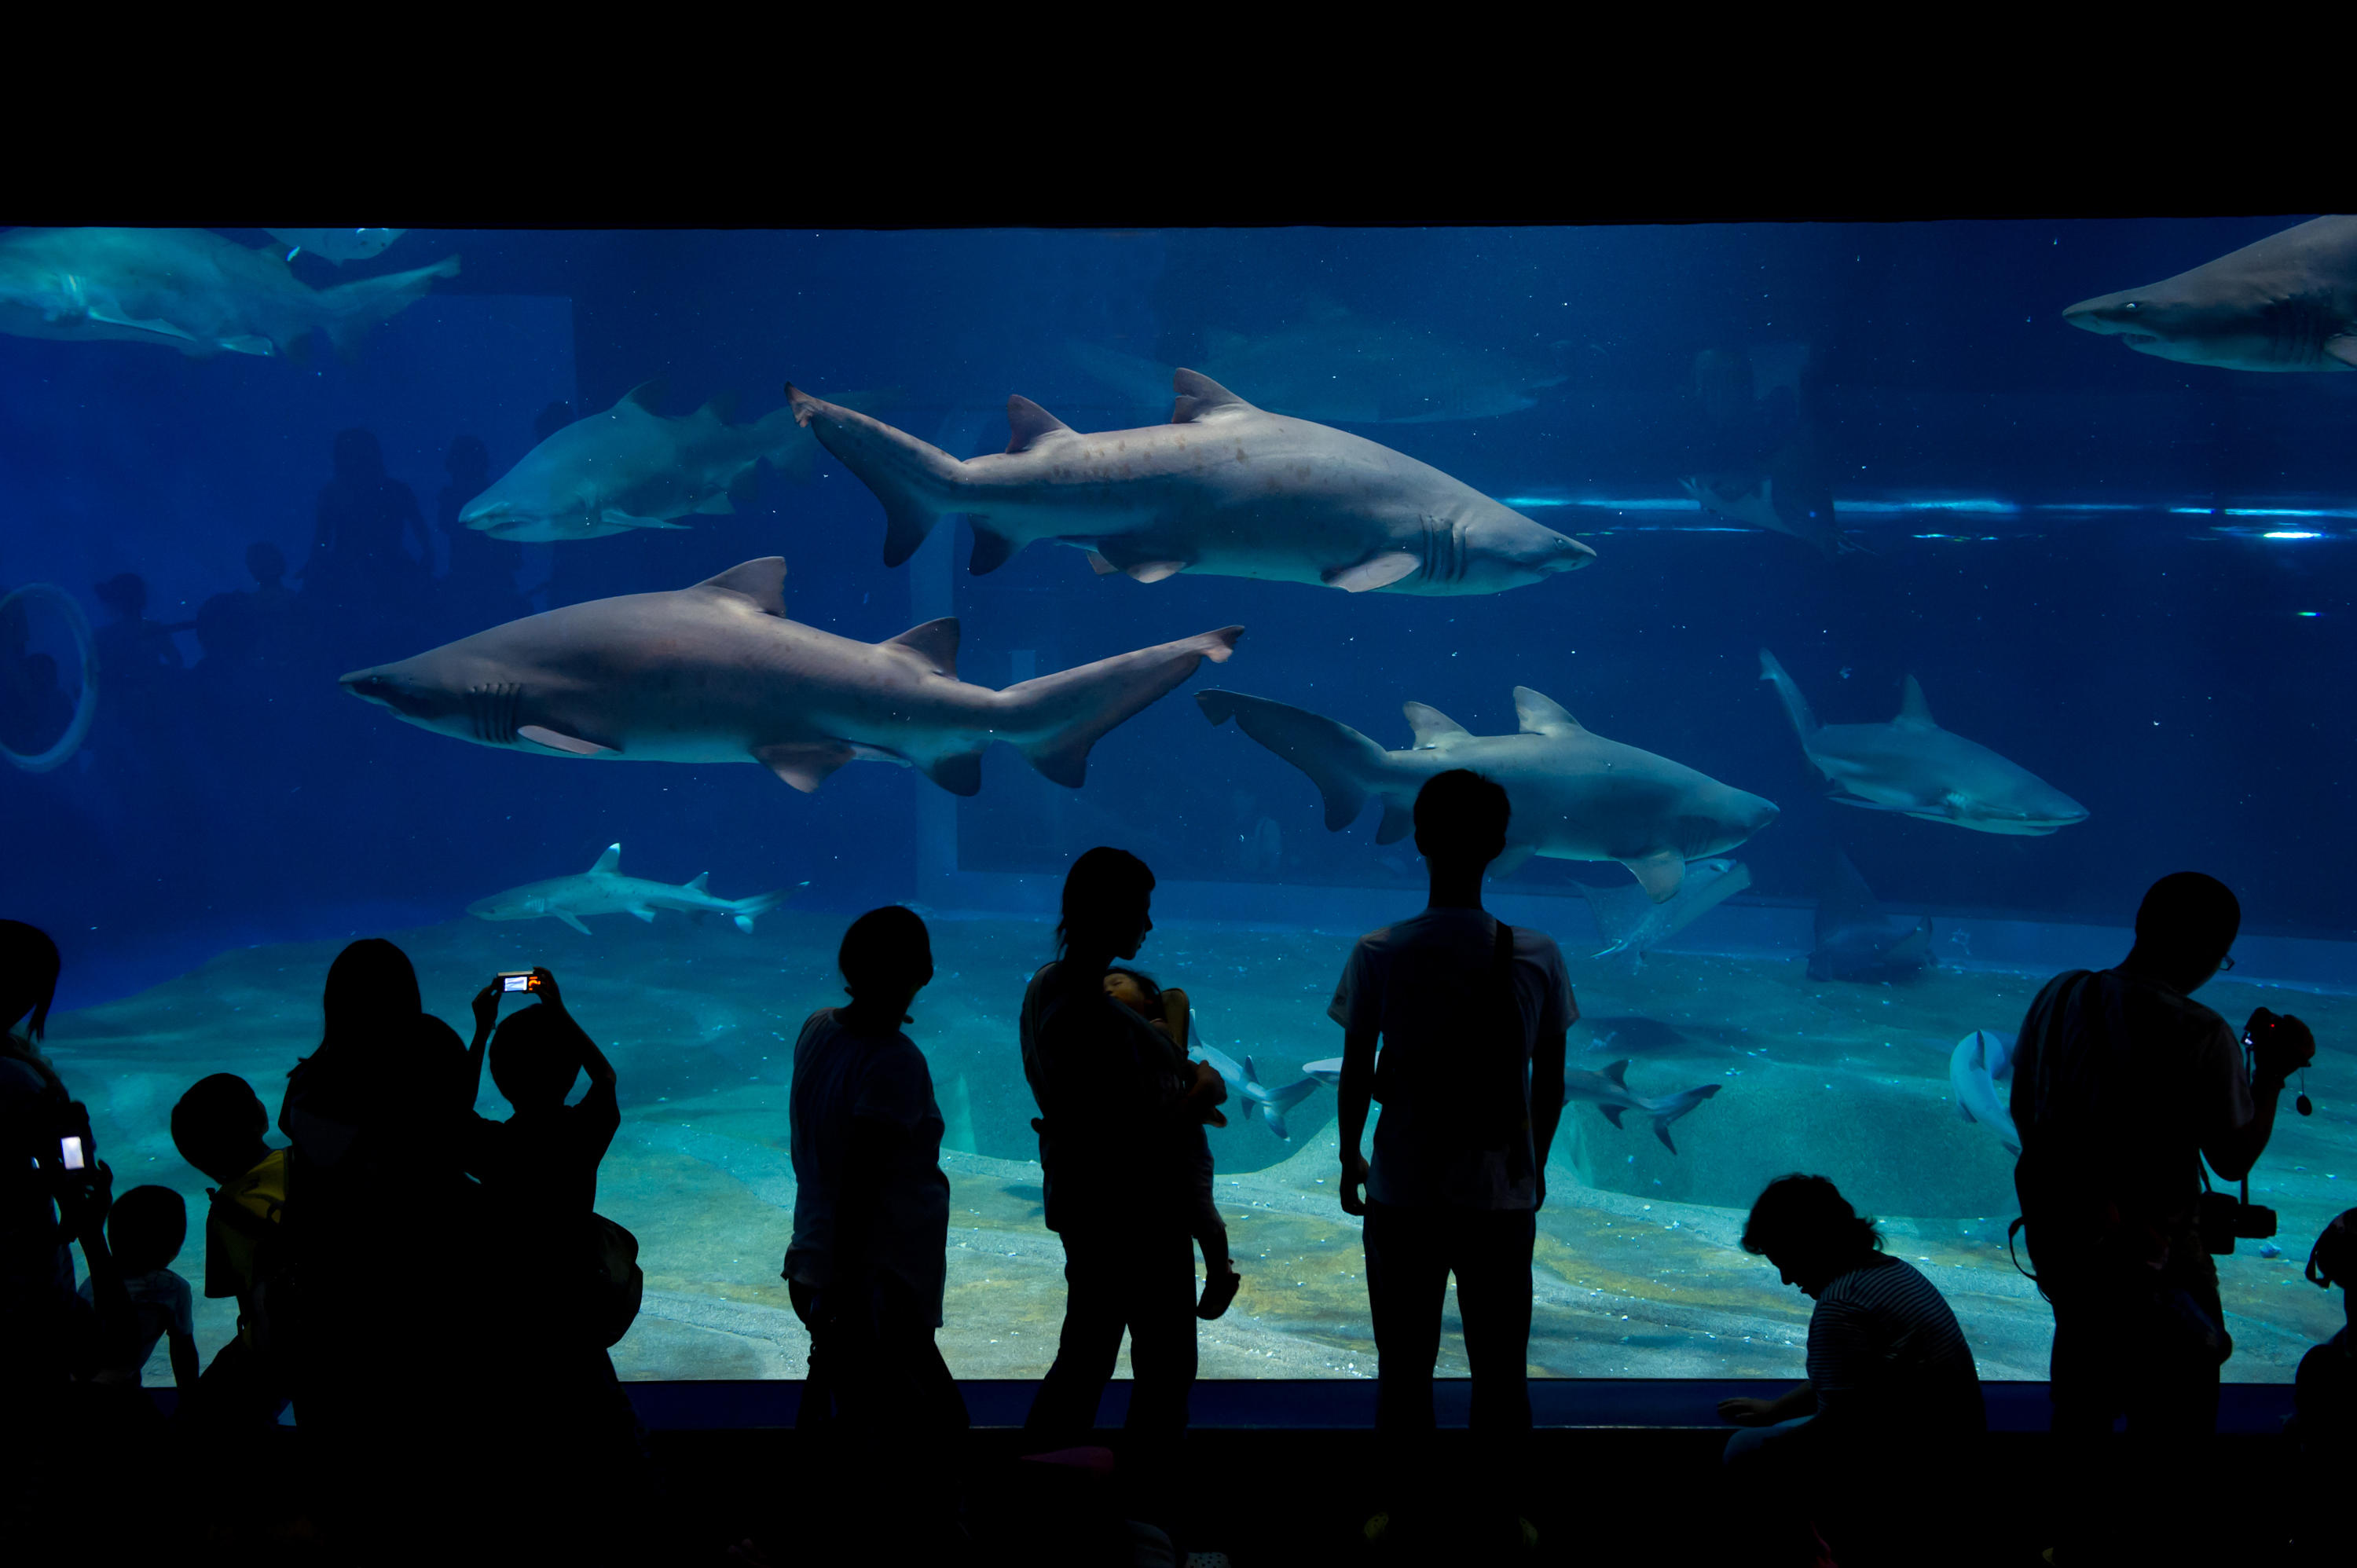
{"x":2127,"y":577}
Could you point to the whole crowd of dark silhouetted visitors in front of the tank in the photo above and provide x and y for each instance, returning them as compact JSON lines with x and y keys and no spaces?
{"x":435,"y":1293}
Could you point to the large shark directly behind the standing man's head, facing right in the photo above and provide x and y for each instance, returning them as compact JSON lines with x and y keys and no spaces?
{"x":1576,"y":796}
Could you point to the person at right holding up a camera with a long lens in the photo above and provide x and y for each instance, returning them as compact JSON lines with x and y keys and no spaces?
{"x":2122,"y":1086}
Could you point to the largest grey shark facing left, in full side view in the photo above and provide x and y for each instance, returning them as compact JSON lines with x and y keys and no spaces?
{"x":718,"y":673}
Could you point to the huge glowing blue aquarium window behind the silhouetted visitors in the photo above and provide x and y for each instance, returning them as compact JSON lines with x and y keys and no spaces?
{"x":1719,"y":494}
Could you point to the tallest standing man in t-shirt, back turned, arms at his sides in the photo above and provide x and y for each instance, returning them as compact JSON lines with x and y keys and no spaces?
{"x":1472,"y":1017}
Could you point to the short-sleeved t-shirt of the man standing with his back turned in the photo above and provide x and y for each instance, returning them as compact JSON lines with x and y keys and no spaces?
{"x":1420,"y":984}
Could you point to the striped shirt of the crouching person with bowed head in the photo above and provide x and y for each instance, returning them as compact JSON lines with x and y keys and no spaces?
{"x":1884,"y":1345}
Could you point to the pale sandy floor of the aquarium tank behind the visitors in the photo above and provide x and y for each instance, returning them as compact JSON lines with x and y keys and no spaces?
{"x":1639,"y":1272}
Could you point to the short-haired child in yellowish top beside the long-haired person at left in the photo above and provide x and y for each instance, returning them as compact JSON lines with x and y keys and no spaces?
{"x":218,"y":1128}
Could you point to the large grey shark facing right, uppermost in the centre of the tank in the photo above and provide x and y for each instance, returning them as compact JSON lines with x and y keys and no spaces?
{"x":1222,"y":489}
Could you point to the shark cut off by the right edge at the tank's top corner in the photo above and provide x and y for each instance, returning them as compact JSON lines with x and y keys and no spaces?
{"x":2285,"y":303}
